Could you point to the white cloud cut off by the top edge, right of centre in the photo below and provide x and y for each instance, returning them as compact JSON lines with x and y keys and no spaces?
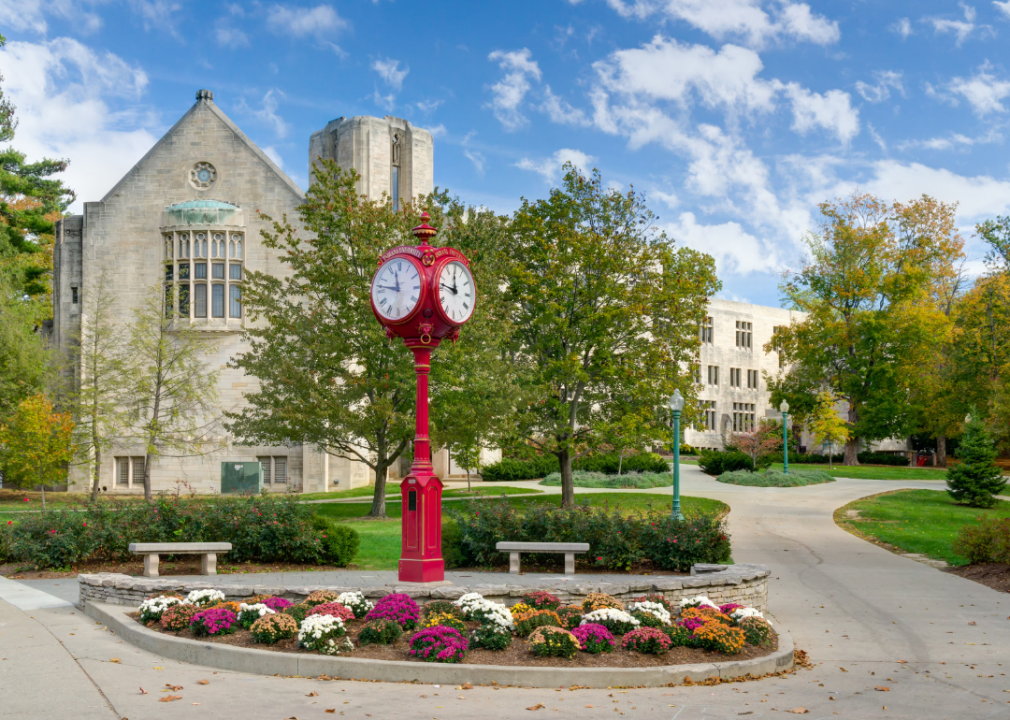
{"x":746,"y":20}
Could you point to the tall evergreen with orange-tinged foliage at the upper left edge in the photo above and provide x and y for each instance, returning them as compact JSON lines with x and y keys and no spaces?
{"x":31,"y":202}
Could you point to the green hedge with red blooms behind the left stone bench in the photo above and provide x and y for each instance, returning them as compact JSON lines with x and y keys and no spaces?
{"x":265,"y":530}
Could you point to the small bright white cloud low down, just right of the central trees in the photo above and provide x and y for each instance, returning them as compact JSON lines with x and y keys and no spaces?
{"x":735,"y":250}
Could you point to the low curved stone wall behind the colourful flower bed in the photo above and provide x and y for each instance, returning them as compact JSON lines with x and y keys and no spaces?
{"x":744,"y":584}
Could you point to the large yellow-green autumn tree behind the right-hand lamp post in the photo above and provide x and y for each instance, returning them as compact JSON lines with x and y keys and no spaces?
{"x":867,"y":291}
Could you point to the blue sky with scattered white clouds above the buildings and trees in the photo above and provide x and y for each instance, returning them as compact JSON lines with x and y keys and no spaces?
{"x":735,"y":118}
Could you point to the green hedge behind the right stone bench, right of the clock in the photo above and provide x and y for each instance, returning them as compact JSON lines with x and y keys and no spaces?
{"x":617,"y":541}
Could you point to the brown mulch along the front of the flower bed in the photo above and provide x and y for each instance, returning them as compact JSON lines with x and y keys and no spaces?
{"x":519,"y":654}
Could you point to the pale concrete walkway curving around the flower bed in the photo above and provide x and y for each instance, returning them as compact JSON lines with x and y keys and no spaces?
{"x":868,"y":619}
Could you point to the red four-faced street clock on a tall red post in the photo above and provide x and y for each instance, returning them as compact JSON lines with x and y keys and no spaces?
{"x":423,"y":294}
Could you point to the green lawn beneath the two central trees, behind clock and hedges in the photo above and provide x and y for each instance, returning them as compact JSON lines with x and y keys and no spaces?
{"x":381,"y":539}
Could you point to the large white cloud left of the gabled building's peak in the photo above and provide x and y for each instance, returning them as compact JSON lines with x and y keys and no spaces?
{"x":62,"y":90}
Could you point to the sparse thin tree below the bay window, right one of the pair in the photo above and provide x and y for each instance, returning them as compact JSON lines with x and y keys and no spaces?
{"x":170,"y":389}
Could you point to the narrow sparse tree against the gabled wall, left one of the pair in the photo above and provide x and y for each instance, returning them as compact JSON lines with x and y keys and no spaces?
{"x":99,"y":368}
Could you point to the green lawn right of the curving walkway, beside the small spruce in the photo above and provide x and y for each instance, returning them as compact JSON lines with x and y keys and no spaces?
{"x":924,"y":522}
